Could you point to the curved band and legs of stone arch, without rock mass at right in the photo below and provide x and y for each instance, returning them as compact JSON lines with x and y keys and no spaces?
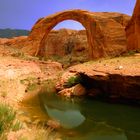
{"x":43,"y":26}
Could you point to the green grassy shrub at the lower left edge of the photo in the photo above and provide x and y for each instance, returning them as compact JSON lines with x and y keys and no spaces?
{"x":8,"y":120}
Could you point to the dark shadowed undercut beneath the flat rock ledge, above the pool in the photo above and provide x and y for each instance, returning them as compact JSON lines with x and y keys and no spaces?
{"x":114,"y":88}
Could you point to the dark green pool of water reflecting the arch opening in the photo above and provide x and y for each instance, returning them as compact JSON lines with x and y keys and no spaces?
{"x":90,"y":119}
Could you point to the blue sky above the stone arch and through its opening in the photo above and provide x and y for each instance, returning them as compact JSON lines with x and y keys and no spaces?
{"x":22,"y":14}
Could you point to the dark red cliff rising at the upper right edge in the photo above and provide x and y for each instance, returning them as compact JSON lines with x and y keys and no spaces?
{"x":133,"y":29}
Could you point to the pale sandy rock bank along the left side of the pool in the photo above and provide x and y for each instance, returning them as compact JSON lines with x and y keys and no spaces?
{"x":19,"y":79}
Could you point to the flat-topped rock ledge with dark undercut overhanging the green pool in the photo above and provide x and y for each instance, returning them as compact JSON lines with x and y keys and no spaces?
{"x":117,"y":78}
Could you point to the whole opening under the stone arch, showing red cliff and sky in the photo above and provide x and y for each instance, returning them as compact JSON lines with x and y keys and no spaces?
{"x":65,"y":42}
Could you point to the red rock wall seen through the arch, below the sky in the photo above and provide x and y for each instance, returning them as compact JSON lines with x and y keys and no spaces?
{"x":65,"y":42}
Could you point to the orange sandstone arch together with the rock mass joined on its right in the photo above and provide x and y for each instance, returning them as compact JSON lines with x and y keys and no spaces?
{"x":105,"y":33}
